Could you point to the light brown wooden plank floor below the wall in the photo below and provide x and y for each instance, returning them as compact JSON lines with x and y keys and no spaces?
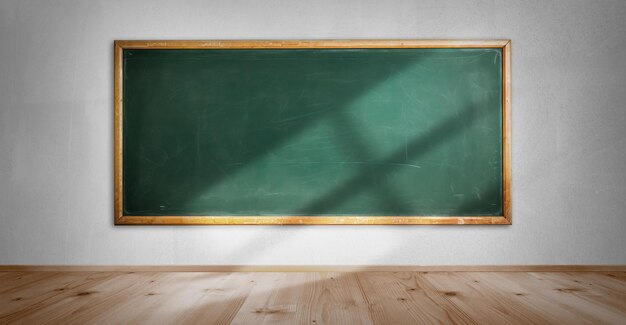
{"x":313,"y":297}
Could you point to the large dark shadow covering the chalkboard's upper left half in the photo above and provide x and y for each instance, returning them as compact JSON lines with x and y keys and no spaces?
{"x":194,"y":144}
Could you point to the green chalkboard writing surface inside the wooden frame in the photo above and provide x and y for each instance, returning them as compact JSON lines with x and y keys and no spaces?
{"x":313,"y":132}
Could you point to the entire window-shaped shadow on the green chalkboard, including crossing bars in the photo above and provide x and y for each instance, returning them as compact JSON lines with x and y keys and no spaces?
{"x":214,"y":131}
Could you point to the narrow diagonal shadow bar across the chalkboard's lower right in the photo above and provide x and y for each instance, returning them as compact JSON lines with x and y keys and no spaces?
{"x":417,"y":147}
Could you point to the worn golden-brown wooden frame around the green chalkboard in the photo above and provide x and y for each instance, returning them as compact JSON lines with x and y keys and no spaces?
{"x":120,"y":219}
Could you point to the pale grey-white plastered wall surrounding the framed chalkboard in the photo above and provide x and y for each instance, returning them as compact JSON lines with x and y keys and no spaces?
{"x":56,"y":139}
